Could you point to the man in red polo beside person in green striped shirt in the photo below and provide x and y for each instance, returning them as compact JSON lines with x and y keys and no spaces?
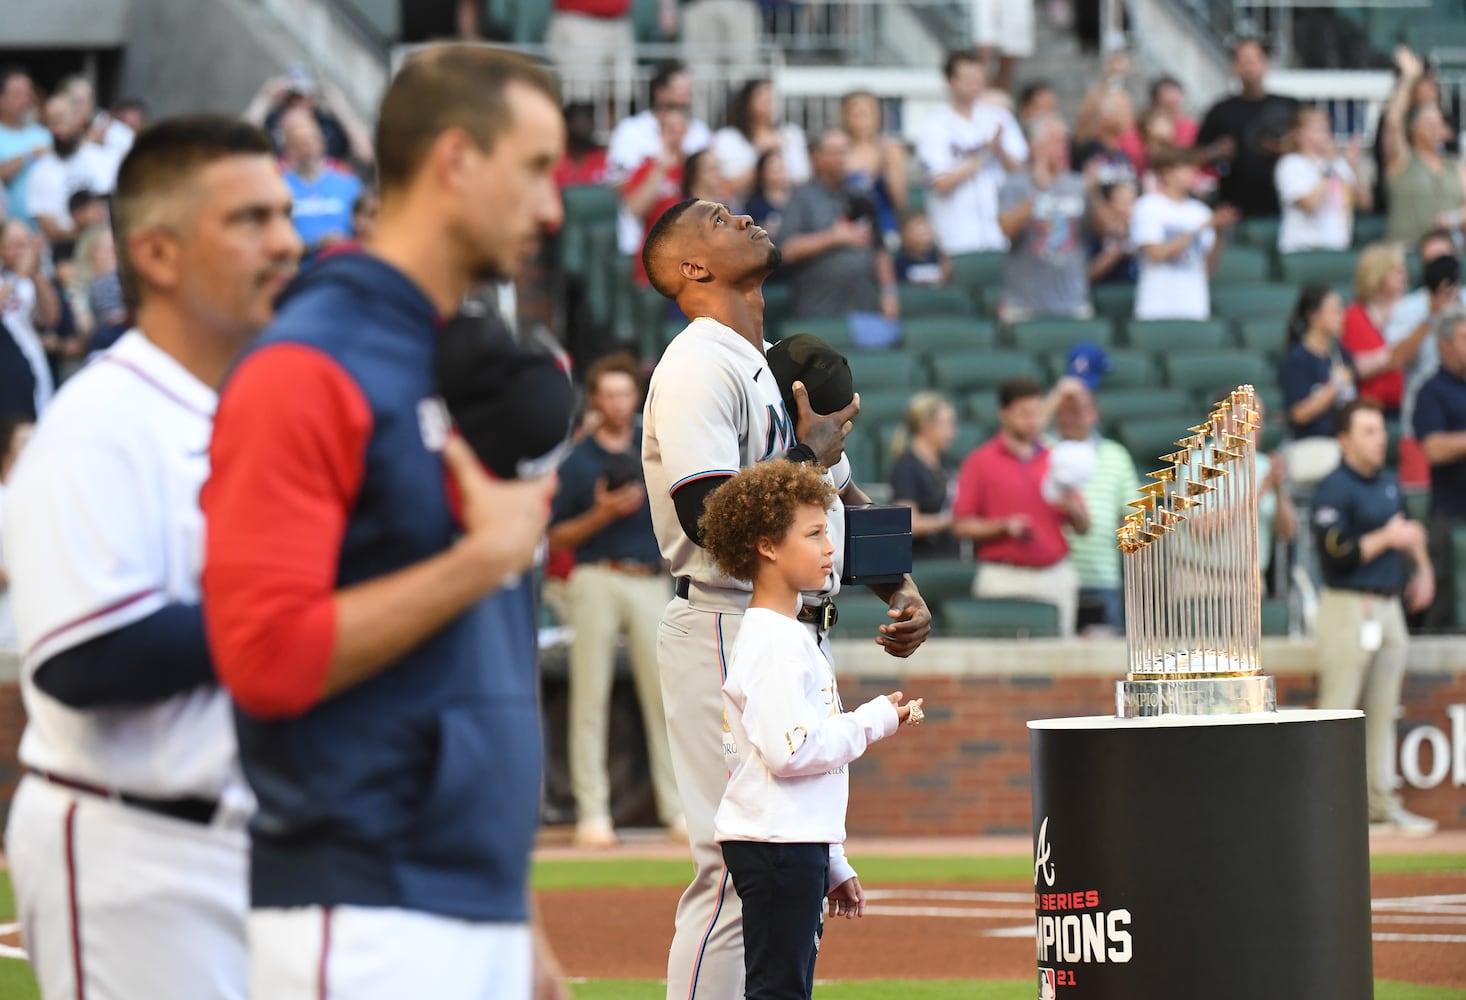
{"x":1001,"y":507}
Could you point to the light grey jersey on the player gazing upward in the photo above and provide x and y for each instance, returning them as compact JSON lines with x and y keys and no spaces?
{"x":713,"y":408}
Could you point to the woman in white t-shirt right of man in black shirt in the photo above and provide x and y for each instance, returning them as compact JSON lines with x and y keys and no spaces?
{"x":1319,"y":188}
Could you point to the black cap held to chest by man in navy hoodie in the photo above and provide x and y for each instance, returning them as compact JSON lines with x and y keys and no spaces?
{"x":512,"y":402}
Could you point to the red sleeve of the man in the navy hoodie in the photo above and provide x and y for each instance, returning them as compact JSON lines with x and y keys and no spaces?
{"x":288,"y":461}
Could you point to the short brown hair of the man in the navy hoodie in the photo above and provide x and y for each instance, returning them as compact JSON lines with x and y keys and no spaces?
{"x":451,"y":87}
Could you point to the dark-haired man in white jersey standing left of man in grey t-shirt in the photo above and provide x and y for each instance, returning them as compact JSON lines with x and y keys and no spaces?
{"x":968,"y":147}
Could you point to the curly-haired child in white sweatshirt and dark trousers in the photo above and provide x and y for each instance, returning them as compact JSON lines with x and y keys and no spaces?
{"x":789,"y":743}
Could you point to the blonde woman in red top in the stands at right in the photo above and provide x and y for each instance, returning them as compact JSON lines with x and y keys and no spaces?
{"x":1380,"y":281}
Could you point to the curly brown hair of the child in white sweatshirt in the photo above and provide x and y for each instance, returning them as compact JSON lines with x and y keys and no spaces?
{"x":759,"y":504}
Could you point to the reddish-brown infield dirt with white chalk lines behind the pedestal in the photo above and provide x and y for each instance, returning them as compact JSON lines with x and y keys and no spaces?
{"x":973,"y":932}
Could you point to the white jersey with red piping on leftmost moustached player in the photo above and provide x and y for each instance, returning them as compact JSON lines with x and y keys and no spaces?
{"x":102,"y":530}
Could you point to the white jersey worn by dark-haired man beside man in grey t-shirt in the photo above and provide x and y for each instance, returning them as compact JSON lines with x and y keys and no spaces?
{"x":967,"y":219}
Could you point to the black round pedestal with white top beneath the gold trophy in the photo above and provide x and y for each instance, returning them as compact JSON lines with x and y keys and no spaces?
{"x":1204,"y":859}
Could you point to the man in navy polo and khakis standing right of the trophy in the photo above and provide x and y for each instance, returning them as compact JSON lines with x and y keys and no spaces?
{"x":1364,"y":542}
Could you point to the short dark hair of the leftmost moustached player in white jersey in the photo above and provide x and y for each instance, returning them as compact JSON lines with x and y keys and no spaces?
{"x":161,"y":165}
